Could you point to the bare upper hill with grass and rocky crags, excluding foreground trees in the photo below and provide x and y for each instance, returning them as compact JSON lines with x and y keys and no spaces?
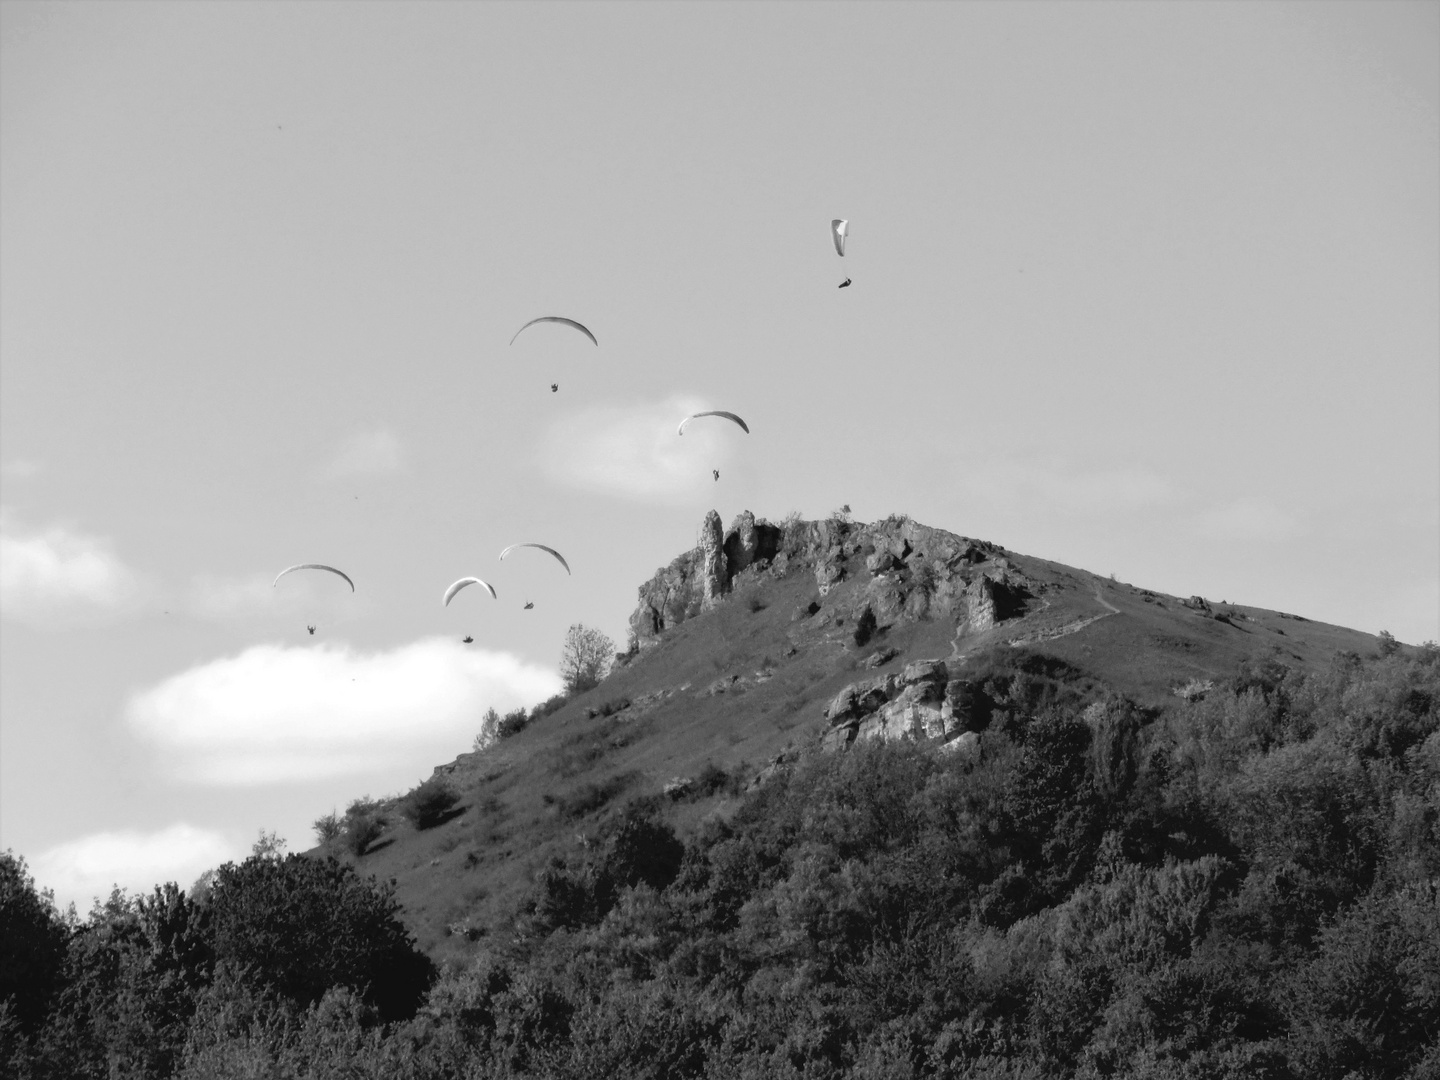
{"x":741,"y":657}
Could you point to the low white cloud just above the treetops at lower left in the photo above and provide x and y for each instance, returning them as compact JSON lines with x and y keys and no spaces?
{"x":86,"y":869}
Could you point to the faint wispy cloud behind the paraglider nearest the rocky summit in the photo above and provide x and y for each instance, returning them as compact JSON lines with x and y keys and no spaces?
{"x":633,"y":450}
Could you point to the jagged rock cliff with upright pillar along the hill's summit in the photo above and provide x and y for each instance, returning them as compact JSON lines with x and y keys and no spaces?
{"x":912,"y":572}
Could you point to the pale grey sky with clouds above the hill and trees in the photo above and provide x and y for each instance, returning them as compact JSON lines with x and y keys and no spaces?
{"x":1146,"y":289}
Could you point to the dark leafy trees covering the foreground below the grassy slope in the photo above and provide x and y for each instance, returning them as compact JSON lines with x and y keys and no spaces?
{"x":1248,"y":886}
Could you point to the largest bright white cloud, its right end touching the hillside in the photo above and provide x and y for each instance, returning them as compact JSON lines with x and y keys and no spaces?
{"x":277,"y":714}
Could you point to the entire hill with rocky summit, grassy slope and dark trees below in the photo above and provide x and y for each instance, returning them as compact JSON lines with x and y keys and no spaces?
{"x":859,"y":801}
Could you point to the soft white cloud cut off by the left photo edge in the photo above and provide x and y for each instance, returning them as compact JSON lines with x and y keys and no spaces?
{"x":61,"y":577}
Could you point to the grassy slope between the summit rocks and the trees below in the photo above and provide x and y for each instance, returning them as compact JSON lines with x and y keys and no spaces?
{"x":528,"y":798}
